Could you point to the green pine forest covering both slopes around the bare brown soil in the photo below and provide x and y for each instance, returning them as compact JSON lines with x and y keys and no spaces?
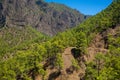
{"x":23,"y":52}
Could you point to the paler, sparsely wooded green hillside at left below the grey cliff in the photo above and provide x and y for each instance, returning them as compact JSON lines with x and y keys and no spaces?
{"x":14,"y":38}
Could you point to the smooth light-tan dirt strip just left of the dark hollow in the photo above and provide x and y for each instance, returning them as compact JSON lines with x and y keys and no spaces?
{"x":67,"y":60}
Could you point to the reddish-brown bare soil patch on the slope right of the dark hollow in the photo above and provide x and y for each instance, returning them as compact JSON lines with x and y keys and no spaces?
{"x":97,"y":46}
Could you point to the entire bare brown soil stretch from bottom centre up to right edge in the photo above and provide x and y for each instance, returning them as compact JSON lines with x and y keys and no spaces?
{"x":98,"y":45}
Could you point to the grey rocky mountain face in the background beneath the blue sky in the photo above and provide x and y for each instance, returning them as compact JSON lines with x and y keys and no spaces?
{"x":48,"y":18}
